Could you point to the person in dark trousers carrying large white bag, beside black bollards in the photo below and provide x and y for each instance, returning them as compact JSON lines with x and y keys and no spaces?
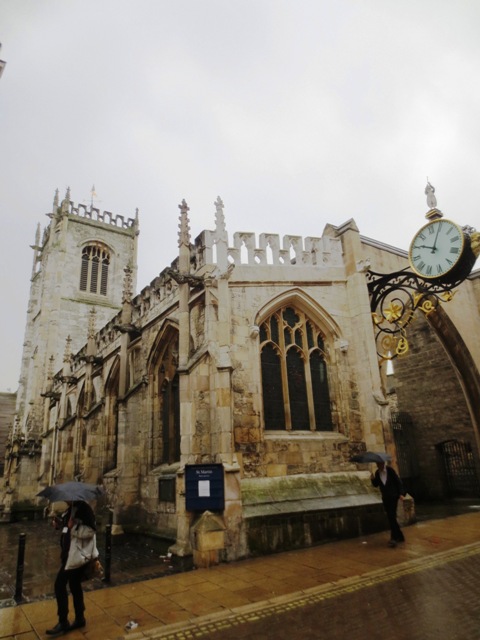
{"x":78,"y":546}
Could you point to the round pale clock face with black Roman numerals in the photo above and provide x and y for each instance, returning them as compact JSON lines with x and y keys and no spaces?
{"x":436,"y":249}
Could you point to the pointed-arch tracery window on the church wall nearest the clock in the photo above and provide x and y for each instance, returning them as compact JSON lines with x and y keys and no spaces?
{"x":294,"y":373}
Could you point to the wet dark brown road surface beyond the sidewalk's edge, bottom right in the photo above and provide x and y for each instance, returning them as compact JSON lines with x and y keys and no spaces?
{"x":432,"y":600}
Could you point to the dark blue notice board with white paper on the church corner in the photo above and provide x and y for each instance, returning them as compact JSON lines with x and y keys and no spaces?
{"x":204,"y":487}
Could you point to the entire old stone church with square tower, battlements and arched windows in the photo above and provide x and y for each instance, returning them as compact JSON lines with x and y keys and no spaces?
{"x":221,"y":405}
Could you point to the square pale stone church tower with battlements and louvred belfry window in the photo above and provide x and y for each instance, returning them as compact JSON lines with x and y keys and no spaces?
{"x":78,"y":265}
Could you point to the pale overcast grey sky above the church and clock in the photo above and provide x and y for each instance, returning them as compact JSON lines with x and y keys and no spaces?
{"x":298,"y":113}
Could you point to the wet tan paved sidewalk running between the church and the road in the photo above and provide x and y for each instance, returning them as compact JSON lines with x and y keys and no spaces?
{"x":200,"y":603}
